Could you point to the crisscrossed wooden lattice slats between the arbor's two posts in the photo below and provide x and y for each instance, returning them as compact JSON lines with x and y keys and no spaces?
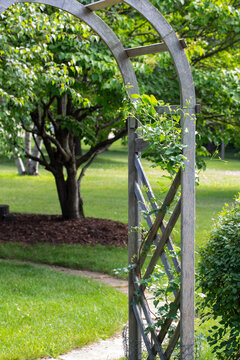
{"x":161,"y":241}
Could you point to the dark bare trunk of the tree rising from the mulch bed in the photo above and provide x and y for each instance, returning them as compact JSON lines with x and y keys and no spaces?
{"x":68,"y":194}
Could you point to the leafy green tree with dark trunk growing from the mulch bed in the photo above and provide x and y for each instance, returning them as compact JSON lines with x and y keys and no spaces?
{"x":58,"y":83}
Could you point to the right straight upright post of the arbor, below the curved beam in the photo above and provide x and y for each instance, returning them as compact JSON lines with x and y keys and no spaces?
{"x":188,"y":237}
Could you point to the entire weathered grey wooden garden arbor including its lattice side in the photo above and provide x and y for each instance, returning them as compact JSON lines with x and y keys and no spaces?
{"x":186,"y":179}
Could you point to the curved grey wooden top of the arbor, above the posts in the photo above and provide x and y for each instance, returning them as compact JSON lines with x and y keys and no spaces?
{"x":170,"y":41}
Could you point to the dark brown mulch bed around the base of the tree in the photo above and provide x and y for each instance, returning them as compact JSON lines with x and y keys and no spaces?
{"x":32,"y":229}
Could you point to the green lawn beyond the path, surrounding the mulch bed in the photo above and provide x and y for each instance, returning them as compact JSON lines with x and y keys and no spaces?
{"x":105,"y":196}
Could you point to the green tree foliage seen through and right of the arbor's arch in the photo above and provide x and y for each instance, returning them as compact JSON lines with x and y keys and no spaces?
{"x":211,"y":31}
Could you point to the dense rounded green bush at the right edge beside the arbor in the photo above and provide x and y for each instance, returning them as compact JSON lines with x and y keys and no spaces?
{"x":219,"y":279}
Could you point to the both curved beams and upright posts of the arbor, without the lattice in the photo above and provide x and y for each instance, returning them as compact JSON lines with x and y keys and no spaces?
{"x":188,"y":103}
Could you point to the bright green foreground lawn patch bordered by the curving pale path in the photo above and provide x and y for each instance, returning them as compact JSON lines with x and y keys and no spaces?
{"x":45,"y":313}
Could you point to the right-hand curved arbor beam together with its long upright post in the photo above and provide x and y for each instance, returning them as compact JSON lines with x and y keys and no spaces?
{"x":147,"y":10}
